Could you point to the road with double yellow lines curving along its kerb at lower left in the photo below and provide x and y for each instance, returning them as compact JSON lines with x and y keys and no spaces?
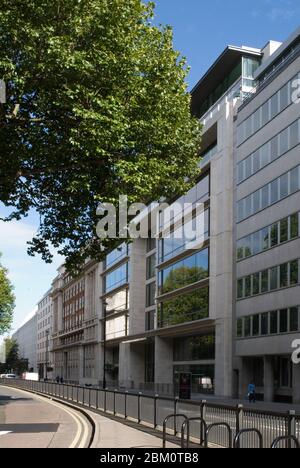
{"x":31,"y":421}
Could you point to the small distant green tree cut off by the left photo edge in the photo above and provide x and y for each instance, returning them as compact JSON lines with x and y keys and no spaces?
{"x":7,"y":301}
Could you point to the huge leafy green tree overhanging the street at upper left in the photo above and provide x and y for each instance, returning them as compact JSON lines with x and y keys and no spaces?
{"x":97,"y":107}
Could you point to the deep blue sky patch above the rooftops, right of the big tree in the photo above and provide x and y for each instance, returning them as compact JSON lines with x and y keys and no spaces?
{"x":202,"y":29}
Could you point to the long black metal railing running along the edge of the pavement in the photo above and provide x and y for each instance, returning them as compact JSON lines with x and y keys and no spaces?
{"x":152,"y":411}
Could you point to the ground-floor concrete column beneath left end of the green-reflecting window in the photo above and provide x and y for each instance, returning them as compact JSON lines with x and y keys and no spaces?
{"x":163,"y":360}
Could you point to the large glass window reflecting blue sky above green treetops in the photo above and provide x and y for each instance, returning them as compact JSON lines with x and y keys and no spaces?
{"x":185,"y":272}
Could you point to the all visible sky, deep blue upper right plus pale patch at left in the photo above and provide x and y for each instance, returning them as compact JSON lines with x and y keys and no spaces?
{"x":202,"y":30}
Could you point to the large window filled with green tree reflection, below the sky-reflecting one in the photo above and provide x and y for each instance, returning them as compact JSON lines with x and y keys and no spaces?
{"x":184,"y":308}
